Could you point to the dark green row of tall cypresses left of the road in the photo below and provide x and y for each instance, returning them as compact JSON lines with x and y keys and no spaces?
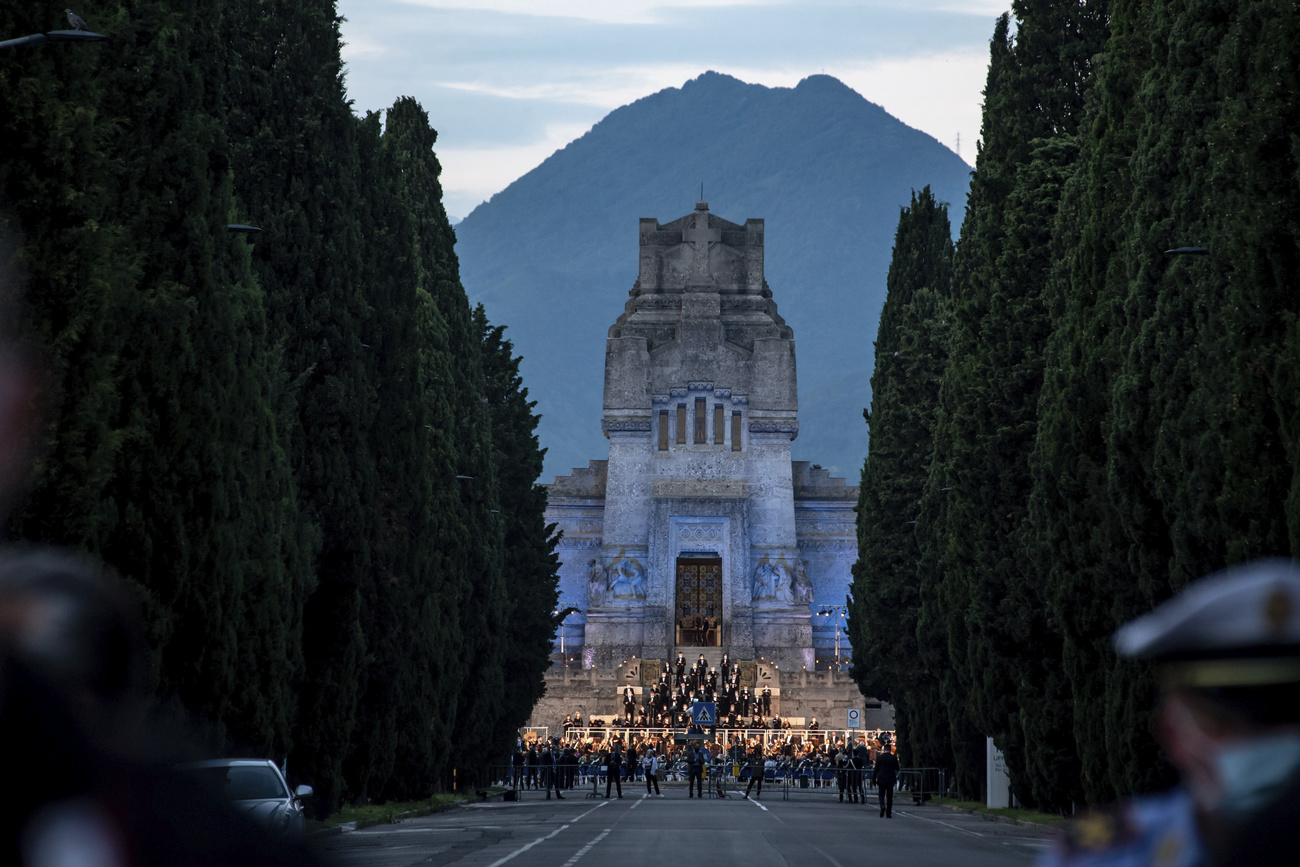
{"x":310,"y":458}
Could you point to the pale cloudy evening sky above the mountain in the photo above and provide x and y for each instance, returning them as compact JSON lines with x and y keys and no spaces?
{"x":510,"y":83}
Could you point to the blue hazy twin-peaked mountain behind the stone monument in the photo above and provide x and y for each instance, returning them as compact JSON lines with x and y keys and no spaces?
{"x":554,"y":254}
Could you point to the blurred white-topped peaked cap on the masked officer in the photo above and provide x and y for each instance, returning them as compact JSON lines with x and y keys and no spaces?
{"x":1240,"y":627}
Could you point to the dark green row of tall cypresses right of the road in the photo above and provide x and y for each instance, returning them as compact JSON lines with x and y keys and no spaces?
{"x":1068,"y":424}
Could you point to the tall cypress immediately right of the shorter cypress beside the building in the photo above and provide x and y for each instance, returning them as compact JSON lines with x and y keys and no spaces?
{"x":1006,"y":656}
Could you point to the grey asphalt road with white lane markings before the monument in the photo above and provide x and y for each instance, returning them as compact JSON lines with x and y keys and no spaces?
{"x":809,"y":830}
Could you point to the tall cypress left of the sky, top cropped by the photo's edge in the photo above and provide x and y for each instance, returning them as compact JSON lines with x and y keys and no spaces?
{"x":297,"y":170}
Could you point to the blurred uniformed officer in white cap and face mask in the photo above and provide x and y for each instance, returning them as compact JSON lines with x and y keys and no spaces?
{"x":1228,"y":657}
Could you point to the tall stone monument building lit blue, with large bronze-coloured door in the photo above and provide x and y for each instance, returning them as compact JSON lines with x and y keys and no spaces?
{"x":700,"y":534}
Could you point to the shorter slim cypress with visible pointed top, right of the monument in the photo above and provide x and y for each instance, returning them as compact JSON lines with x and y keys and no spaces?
{"x":887,"y":584}
